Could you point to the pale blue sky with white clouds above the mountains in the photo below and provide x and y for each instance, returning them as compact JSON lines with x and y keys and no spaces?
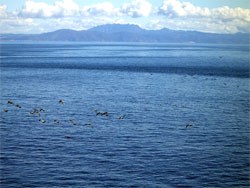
{"x":38,"y":16}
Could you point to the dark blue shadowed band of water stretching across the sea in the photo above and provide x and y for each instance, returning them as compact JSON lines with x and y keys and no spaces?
{"x":239,"y":72}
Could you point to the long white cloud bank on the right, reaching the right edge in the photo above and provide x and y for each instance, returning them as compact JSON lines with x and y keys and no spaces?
{"x":222,"y":19}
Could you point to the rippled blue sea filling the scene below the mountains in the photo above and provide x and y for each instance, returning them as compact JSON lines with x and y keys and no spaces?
{"x":152,"y":92}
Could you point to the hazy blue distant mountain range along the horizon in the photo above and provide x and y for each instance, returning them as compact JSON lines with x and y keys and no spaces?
{"x":130,"y":33}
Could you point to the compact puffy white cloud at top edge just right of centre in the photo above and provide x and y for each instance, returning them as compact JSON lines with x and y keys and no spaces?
{"x":137,"y":8}
